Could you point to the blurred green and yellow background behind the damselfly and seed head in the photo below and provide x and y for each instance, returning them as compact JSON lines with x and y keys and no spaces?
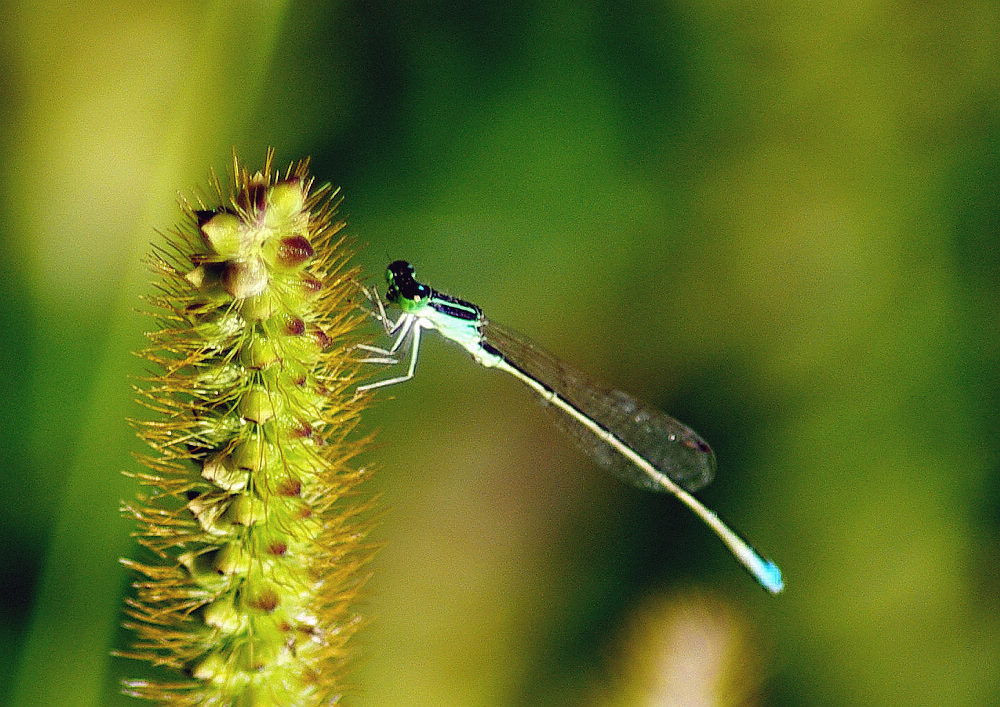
{"x":777,"y":221}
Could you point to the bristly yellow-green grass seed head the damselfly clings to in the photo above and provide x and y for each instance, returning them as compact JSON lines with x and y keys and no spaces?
{"x":253,"y":517}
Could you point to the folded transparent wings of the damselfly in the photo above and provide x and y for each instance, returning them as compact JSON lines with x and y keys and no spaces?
{"x":670,"y":446}
